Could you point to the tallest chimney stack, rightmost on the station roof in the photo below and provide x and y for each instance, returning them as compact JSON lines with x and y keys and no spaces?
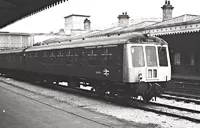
{"x":167,"y":10}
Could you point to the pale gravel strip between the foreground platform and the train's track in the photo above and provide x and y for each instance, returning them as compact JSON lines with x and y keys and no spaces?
{"x":121,"y":112}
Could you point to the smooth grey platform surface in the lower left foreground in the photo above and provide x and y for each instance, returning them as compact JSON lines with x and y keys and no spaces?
{"x":23,"y":109}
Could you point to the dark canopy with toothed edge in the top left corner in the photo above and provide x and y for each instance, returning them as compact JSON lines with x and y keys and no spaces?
{"x":13,"y":10}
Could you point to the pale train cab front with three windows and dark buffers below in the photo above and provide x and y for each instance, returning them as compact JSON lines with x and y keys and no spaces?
{"x":147,"y":67}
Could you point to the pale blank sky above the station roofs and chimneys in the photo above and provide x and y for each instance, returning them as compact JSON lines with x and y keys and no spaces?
{"x":103,"y":13}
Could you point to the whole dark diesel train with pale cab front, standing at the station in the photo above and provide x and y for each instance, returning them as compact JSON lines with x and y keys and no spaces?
{"x":128,"y":65}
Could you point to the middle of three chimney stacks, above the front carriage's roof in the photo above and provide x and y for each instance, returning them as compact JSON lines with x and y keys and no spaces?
{"x":123,"y":20}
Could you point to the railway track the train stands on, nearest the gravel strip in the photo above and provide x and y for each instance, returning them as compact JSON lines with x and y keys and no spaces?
{"x":172,"y":111}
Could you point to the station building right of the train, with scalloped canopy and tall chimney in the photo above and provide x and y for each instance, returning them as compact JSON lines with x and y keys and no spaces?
{"x":183,"y":36}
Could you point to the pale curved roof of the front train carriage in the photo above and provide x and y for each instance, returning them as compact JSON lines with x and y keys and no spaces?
{"x":100,"y":41}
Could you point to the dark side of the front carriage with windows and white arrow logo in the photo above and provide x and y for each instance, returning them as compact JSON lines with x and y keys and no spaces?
{"x":100,"y":62}
